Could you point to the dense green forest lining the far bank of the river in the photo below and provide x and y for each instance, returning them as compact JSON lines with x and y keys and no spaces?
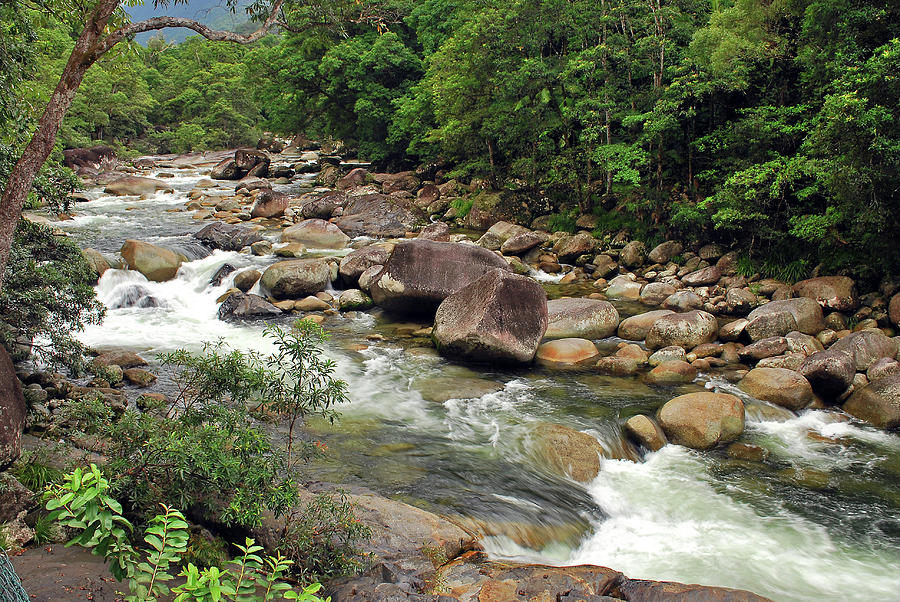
{"x":770,"y":125}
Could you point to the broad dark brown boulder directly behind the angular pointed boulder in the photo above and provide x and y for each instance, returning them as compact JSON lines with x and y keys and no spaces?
{"x":422,"y":273}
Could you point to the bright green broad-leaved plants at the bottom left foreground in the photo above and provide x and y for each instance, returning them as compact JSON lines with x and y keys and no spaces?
{"x":82,"y":502}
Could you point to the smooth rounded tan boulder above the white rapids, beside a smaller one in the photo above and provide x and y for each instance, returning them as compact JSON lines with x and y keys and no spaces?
{"x":702,"y":420}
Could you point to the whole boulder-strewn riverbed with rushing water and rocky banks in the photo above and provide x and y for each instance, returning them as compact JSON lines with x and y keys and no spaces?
{"x":561,"y":399}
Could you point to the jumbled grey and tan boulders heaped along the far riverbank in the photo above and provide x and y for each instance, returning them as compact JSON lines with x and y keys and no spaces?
{"x":815,"y":343}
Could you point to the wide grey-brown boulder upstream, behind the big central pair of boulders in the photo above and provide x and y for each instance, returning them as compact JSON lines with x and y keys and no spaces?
{"x":375,"y":215}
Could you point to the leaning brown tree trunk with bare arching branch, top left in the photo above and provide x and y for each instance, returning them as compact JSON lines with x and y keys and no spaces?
{"x":104,"y":27}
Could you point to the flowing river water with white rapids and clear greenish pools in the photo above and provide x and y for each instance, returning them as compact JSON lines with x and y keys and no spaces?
{"x":818,"y":521}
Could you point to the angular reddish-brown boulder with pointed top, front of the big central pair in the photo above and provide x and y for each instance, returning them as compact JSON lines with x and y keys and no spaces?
{"x":501,"y":317}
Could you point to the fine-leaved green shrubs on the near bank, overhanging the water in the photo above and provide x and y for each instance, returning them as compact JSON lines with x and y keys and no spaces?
{"x":207,"y":450}
